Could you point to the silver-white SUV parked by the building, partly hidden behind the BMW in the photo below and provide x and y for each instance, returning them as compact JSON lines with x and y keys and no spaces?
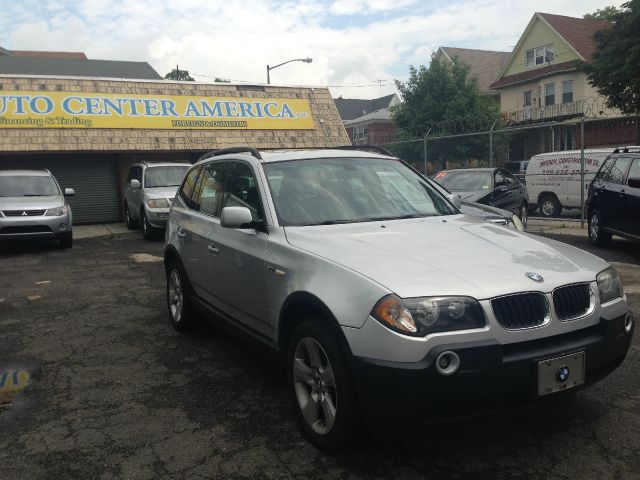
{"x":148,"y":193}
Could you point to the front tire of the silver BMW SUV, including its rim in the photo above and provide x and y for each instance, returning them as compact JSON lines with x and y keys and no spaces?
{"x":323,"y":392}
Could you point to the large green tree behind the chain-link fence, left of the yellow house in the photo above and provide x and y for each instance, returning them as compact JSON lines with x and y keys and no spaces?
{"x":443,"y":99}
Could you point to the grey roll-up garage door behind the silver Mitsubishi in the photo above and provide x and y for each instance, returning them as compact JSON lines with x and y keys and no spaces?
{"x":93,"y":177}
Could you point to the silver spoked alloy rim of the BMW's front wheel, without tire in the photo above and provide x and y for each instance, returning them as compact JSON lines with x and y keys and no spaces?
{"x":315,"y":385}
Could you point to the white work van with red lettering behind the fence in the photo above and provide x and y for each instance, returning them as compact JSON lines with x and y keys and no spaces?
{"x":553,"y":179}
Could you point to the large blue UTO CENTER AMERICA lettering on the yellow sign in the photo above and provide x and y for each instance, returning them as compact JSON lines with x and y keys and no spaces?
{"x":148,"y":107}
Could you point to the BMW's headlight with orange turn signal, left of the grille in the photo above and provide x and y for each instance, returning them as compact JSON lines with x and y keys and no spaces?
{"x":424,"y":315}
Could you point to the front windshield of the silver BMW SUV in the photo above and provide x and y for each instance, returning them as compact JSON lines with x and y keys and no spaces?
{"x":346,"y":190}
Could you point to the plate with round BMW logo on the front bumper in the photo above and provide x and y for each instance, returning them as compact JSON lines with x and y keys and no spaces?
{"x":560,"y":373}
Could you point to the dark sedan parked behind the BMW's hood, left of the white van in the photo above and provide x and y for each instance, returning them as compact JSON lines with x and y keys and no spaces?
{"x":490,"y":186}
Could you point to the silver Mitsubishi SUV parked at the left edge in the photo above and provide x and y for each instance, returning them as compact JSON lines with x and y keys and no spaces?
{"x":33,"y":206}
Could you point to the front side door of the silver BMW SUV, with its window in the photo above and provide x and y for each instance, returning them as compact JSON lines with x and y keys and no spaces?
{"x":237,"y":256}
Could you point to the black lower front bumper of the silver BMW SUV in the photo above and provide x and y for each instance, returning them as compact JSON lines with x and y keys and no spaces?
{"x":491,"y":376}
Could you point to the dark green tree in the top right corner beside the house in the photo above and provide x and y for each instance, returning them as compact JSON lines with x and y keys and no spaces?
{"x":615,"y":67}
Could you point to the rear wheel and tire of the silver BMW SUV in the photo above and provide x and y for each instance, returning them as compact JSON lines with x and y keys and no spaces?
{"x":181,"y":313}
